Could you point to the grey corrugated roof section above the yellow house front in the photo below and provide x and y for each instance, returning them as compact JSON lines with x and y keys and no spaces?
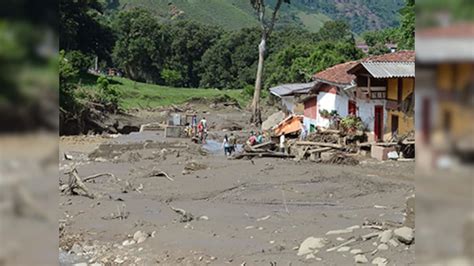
{"x":390,"y":69}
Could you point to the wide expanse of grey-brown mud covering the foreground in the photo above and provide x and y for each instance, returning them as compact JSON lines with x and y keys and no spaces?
{"x":244,"y":212}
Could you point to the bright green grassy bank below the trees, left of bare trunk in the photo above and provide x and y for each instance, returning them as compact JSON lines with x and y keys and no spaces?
{"x":141,"y":95}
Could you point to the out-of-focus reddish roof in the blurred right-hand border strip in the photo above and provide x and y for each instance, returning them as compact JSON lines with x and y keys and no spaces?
{"x":459,"y":30}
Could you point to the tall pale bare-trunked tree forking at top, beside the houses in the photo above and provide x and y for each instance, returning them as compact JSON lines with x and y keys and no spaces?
{"x":266,"y":30}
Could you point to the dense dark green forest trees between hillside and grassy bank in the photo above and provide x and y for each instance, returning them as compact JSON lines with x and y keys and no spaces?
{"x":187,"y":53}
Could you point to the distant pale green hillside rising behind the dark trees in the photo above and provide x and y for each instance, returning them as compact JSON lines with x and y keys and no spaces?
{"x":362,"y":15}
